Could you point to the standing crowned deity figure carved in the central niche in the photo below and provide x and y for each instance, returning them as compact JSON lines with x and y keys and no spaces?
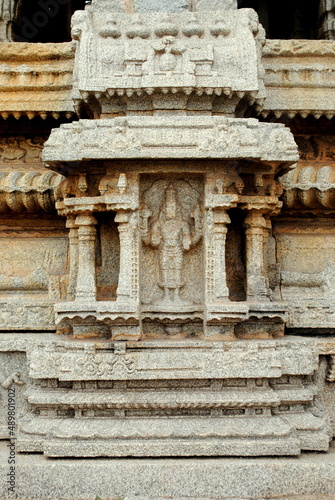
{"x":171,"y":233}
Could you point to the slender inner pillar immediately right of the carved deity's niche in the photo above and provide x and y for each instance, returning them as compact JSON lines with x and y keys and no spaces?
{"x":220,"y":221}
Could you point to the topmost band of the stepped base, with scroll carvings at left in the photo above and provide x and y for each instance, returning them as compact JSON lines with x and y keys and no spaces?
{"x":175,"y":360}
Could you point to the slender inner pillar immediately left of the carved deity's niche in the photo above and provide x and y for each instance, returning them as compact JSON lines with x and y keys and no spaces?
{"x":129,"y":255}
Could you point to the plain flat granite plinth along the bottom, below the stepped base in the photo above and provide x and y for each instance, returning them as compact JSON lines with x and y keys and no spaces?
{"x":309,"y":477}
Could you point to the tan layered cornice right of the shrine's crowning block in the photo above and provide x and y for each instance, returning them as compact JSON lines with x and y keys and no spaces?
{"x":299,"y":78}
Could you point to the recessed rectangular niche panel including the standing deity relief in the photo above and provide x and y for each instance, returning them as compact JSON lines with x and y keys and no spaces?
{"x":171,"y":231}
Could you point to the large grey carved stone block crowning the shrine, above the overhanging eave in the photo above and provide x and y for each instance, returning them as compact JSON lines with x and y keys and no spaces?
{"x":181,"y":54}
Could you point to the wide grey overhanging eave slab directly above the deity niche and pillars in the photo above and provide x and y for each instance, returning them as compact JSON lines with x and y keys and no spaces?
{"x":164,"y":137}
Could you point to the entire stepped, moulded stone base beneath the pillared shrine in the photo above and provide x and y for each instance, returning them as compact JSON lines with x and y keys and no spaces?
{"x":229,"y":395}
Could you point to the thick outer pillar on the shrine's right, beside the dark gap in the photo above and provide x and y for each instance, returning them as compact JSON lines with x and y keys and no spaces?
{"x":256,"y":236}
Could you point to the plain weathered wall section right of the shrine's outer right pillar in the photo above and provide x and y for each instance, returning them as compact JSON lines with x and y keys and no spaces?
{"x":307,"y":271}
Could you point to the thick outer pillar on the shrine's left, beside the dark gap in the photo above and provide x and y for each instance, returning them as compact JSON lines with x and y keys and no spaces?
{"x":86,"y":278}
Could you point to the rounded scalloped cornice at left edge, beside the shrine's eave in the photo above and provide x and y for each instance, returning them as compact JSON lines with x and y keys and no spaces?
{"x":31,"y":191}
